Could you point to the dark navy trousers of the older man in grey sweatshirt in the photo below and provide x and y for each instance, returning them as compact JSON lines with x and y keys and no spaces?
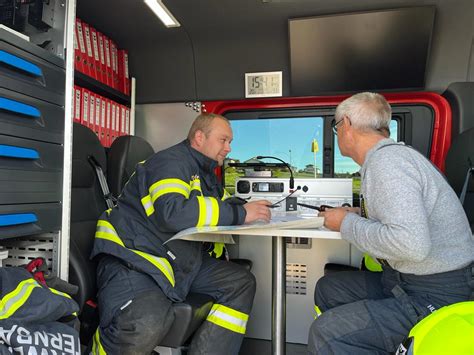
{"x":367,"y":312}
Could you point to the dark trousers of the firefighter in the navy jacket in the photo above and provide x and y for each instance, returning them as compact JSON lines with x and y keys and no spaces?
{"x":135,"y":314}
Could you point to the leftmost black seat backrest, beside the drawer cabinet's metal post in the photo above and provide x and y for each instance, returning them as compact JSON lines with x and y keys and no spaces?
{"x":87,"y":204}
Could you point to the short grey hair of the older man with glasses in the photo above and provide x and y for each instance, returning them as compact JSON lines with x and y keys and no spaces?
{"x":367,"y":111}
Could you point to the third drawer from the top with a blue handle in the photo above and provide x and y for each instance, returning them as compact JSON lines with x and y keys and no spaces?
{"x":30,"y":171}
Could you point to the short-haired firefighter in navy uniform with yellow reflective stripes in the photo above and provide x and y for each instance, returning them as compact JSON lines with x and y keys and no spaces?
{"x":139,"y":277}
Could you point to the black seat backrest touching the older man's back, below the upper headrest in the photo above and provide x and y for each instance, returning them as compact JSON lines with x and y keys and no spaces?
{"x":459,"y":160}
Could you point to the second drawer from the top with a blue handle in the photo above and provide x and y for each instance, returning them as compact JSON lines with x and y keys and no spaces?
{"x":27,"y":117}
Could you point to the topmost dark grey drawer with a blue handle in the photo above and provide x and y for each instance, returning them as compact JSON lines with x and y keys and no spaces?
{"x":31,"y":75}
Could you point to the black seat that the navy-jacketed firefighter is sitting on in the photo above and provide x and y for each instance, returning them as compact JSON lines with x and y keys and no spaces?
{"x":124,"y":154}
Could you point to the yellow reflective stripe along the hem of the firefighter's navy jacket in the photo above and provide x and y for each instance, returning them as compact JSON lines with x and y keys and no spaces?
{"x":106,"y":231}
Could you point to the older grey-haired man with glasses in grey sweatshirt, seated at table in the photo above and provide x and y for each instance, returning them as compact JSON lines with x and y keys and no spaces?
{"x":410,"y":220}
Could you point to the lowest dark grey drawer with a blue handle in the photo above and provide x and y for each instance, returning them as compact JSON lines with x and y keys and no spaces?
{"x":21,"y":220}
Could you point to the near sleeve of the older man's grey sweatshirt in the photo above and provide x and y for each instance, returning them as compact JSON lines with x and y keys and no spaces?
{"x":397,"y":224}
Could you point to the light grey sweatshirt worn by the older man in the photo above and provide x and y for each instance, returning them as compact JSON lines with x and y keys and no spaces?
{"x":415,"y":220}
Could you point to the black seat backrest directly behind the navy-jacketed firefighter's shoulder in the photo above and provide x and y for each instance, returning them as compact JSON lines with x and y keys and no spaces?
{"x":124,"y":154}
